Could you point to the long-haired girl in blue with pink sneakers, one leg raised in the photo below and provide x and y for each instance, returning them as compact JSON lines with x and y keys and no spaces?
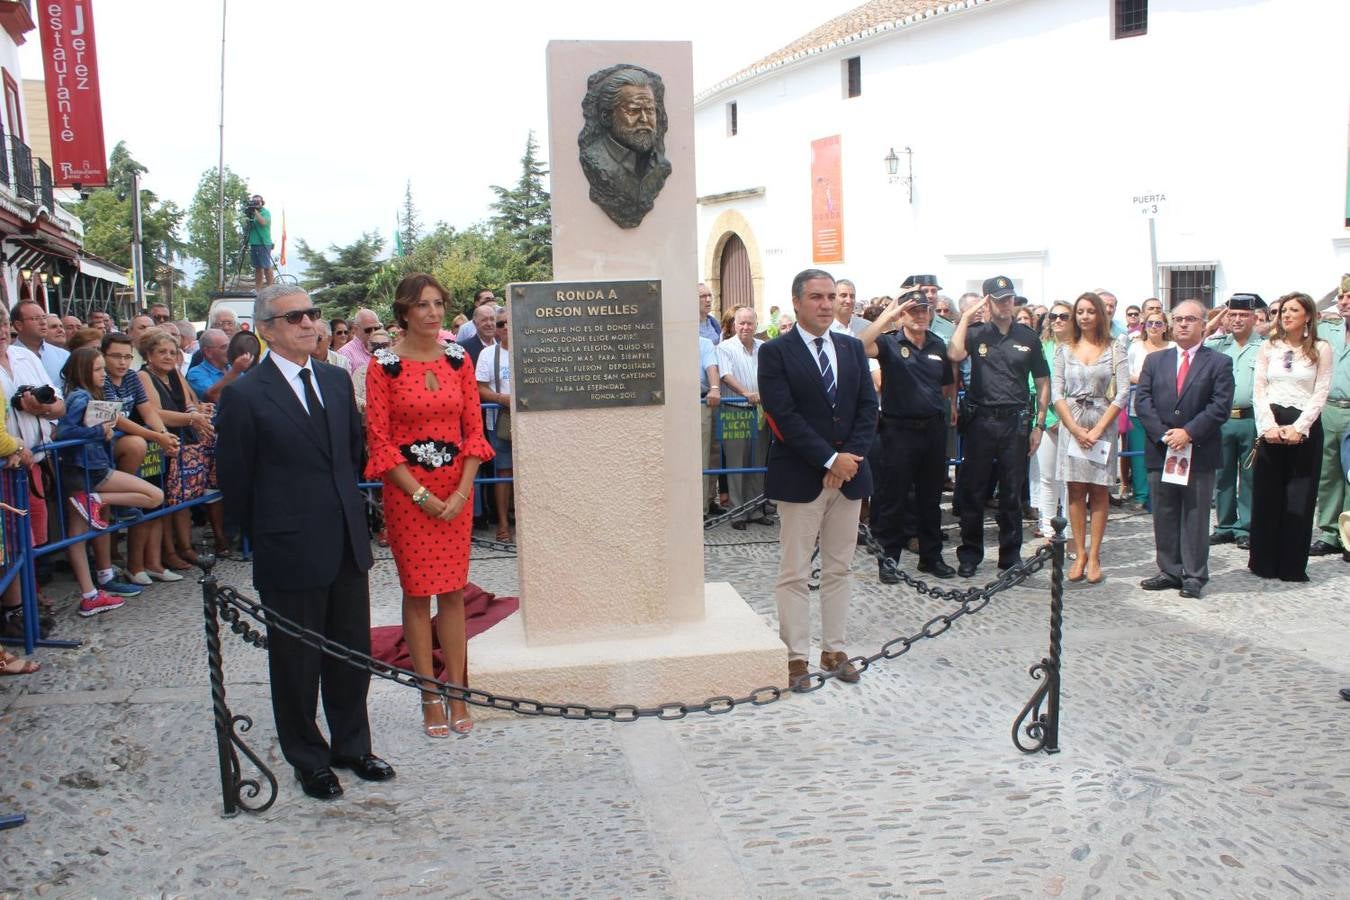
{"x":88,"y":476}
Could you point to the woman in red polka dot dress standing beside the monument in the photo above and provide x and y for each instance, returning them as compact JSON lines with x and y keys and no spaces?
{"x":426,"y":431}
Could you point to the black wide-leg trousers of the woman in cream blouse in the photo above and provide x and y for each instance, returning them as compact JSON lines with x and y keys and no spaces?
{"x":1285,"y":496}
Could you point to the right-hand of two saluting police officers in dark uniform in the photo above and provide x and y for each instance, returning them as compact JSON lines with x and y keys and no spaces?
{"x":1001,"y":432}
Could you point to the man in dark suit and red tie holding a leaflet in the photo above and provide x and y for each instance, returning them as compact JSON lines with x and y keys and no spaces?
{"x":1183,"y":400}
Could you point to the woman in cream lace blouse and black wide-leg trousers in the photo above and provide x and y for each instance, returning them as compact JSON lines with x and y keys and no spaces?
{"x":1290,"y":389}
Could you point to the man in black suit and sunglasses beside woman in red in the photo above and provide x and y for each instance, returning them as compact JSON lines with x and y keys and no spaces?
{"x":288,"y":461}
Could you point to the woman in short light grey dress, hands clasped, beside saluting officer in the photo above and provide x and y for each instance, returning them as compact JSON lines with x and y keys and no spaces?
{"x":1091,"y":383}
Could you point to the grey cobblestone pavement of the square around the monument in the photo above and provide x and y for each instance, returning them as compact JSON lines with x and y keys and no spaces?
{"x":1204,"y":755}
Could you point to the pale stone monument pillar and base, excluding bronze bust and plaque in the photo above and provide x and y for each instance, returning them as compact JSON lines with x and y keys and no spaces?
{"x":608,"y":501}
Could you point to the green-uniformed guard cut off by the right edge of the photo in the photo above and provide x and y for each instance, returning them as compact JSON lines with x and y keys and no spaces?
{"x":1333,"y":497}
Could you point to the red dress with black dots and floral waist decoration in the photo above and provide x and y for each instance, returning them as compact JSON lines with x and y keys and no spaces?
{"x":431,"y":431}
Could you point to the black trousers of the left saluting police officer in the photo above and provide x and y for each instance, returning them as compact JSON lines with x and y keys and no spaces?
{"x":915,"y":465}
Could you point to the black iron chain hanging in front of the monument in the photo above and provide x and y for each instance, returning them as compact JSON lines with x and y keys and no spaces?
{"x":232,"y":604}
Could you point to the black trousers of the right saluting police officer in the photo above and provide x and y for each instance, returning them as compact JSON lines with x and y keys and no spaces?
{"x":993,"y":446}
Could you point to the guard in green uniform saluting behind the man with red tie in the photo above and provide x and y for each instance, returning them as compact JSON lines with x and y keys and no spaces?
{"x":1239,"y":435}
